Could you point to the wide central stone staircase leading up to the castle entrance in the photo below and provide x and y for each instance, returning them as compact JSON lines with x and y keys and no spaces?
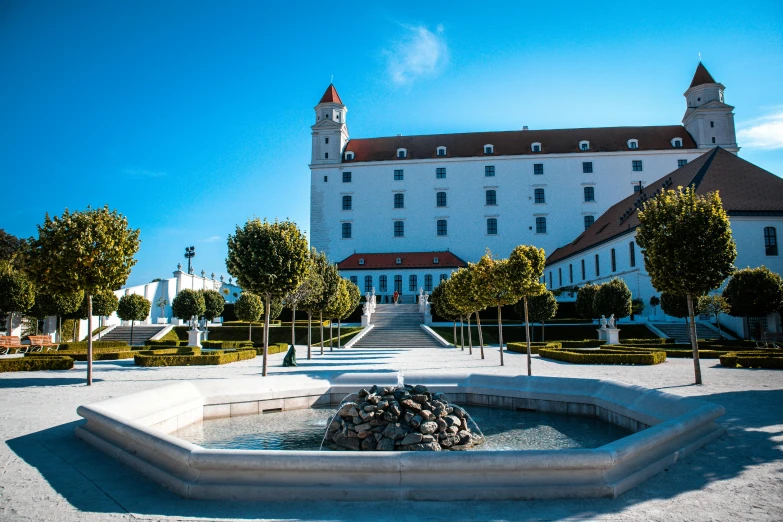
{"x":397,"y":326}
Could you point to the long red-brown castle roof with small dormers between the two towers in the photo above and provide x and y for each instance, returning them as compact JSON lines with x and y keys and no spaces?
{"x":508,"y":143}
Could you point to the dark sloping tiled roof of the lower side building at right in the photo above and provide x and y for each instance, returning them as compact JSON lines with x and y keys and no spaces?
{"x":744,"y":189}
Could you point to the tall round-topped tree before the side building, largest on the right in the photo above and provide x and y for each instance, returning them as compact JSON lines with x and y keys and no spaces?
{"x":688,"y":248}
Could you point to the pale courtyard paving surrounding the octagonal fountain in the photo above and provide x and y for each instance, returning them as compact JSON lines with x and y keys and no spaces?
{"x":48,"y":474}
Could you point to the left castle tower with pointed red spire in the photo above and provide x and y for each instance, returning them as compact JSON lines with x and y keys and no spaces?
{"x":330,"y":132}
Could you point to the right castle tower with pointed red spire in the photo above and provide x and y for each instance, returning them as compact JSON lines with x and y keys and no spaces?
{"x":707,"y":118}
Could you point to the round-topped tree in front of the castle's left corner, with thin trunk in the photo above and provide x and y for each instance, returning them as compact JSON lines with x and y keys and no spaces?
{"x":269,"y":259}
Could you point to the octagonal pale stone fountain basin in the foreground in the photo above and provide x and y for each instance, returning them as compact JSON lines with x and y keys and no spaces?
{"x":134,"y":429}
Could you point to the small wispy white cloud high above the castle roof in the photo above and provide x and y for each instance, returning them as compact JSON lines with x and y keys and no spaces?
{"x":419,"y":53}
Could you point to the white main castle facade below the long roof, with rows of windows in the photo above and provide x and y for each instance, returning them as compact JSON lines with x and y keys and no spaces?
{"x":372,"y":189}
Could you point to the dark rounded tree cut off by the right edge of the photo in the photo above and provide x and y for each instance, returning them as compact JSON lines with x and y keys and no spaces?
{"x":754,"y":292}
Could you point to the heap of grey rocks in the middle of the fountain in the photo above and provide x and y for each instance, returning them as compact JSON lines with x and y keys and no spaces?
{"x":409,"y":418}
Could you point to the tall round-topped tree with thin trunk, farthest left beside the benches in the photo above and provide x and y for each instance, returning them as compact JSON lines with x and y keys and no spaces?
{"x":90,"y":251}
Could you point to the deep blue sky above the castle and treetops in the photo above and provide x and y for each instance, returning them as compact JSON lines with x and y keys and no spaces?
{"x":191,"y":117}
